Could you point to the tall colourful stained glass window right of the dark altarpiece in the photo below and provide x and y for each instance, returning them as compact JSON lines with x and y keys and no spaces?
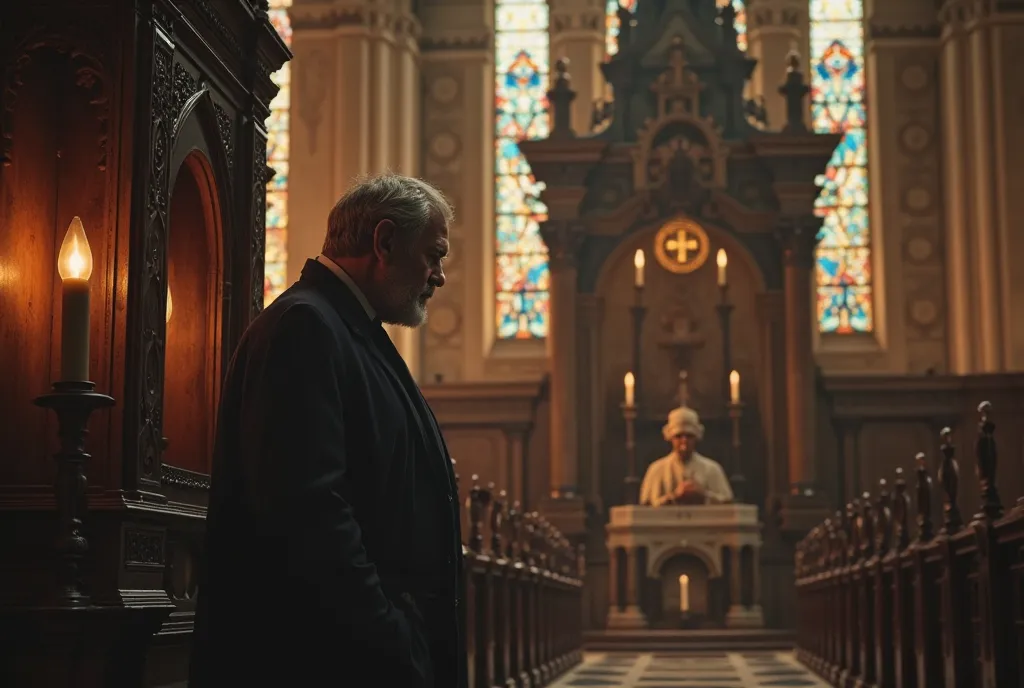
{"x":844,"y":254}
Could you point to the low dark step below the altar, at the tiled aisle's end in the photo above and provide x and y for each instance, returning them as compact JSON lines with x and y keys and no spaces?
{"x":690,"y":640}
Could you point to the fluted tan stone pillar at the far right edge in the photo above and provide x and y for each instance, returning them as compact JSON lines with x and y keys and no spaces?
{"x":984,"y":199}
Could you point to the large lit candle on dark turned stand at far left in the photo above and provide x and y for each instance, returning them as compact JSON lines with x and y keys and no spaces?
{"x":75,"y":269}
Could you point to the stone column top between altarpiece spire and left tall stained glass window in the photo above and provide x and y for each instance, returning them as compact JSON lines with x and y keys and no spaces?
{"x":578,"y":29}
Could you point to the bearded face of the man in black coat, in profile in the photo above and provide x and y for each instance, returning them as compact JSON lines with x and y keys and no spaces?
{"x":412,"y":272}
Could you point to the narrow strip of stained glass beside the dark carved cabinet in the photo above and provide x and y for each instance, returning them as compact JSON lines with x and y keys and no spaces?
{"x":277,"y":156}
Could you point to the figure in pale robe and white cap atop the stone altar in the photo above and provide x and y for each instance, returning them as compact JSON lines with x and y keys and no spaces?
{"x":685,"y":477}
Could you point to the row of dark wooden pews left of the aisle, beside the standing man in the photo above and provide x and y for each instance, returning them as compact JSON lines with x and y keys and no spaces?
{"x":524,"y":595}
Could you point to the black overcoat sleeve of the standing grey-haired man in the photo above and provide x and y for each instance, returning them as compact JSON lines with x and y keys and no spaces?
{"x":298,"y":490}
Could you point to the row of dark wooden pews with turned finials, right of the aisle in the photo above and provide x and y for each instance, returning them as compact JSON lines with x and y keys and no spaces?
{"x":878,"y":608}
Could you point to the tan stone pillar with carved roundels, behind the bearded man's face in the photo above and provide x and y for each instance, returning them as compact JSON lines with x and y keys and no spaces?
{"x":457,"y":146}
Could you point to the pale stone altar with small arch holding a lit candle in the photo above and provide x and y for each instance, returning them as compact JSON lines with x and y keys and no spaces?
{"x":707,"y":543}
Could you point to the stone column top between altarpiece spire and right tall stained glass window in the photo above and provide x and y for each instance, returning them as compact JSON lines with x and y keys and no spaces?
{"x":776,"y":28}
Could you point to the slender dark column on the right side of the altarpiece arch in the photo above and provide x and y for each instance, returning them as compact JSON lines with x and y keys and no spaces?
{"x":798,"y":235}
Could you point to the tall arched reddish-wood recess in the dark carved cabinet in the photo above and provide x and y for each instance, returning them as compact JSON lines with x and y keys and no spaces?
{"x":192,"y":356}
